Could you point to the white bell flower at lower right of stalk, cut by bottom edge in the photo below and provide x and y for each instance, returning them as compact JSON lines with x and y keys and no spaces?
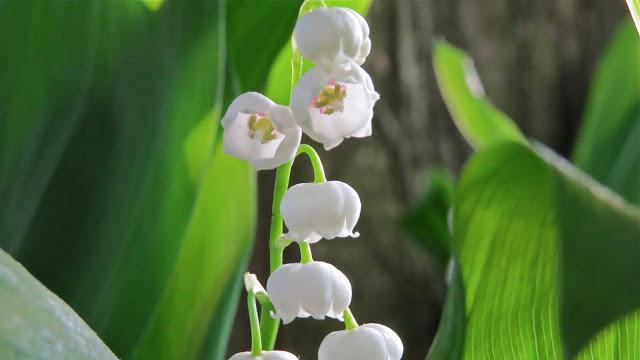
{"x":366,"y":342}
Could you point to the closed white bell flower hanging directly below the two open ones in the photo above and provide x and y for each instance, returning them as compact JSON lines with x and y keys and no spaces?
{"x":313,"y":211}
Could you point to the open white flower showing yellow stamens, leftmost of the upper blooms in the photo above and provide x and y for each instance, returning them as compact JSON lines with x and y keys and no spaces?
{"x":260,"y":131}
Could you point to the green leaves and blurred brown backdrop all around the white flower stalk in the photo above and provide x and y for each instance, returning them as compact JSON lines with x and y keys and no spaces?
{"x":117,"y":196}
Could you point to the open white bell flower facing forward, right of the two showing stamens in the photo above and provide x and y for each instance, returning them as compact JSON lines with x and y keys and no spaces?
{"x":332,"y":106}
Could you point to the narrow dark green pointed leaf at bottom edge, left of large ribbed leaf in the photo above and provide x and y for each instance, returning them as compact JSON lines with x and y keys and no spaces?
{"x":449,"y":341}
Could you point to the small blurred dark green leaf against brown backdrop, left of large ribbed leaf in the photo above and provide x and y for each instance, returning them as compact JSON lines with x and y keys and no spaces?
{"x":427,"y":221}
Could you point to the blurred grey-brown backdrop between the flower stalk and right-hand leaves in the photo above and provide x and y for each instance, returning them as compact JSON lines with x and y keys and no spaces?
{"x":535,"y":60}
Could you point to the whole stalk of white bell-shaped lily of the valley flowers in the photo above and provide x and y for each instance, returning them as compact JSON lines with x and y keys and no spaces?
{"x":330,"y":102}
